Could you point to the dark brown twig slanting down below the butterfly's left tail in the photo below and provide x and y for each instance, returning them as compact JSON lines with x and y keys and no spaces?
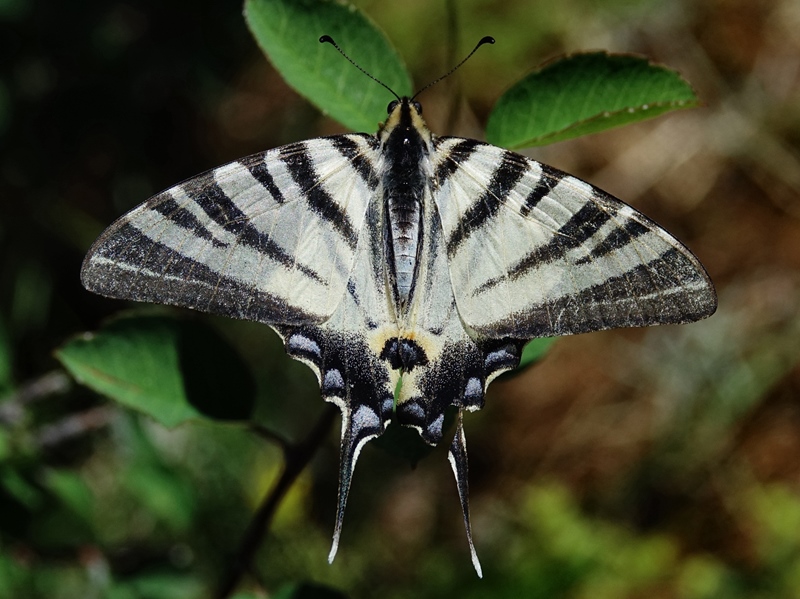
{"x":297,"y":458}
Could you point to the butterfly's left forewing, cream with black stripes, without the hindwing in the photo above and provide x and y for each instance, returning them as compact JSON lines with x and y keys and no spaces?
{"x":271,"y":237}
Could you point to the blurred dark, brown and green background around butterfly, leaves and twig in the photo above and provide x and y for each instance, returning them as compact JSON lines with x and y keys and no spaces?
{"x":658,"y":463}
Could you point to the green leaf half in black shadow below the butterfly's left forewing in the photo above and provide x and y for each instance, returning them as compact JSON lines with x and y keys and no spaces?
{"x":172,"y":370}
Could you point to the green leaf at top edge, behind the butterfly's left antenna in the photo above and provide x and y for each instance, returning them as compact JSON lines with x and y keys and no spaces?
{"x":288,"y":32}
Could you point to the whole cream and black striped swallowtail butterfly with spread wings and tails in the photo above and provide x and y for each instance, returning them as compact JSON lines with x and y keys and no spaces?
{"x":401,"y":255}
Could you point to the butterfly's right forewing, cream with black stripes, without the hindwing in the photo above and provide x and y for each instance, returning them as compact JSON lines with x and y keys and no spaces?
{"x":536,"y":252}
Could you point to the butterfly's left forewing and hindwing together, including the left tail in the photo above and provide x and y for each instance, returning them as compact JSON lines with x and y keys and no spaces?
{"x":291,"y":238}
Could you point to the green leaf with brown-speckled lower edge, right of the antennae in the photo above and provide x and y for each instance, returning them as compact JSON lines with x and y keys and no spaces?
{"x":583,"y":94}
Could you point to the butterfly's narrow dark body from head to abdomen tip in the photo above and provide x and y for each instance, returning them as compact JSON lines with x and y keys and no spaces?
{"x":406,"y":146}
